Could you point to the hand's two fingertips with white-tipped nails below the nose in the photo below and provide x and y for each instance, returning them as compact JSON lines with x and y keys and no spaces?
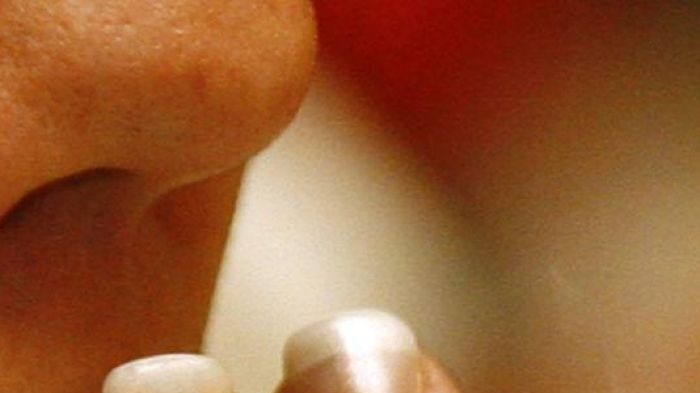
{"x":358,"y":352}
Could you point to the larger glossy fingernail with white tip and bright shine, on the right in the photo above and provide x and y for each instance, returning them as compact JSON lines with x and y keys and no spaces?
{"x":364,"y":351}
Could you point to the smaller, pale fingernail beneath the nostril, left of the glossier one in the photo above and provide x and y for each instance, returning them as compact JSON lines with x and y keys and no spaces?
{"x":176,"y":373}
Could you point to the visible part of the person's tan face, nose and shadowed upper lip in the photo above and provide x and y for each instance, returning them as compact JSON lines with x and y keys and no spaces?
{"x":124,"y":126}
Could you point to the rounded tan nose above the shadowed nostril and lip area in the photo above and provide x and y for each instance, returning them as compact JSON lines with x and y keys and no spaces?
{"x":172,"y":93}
